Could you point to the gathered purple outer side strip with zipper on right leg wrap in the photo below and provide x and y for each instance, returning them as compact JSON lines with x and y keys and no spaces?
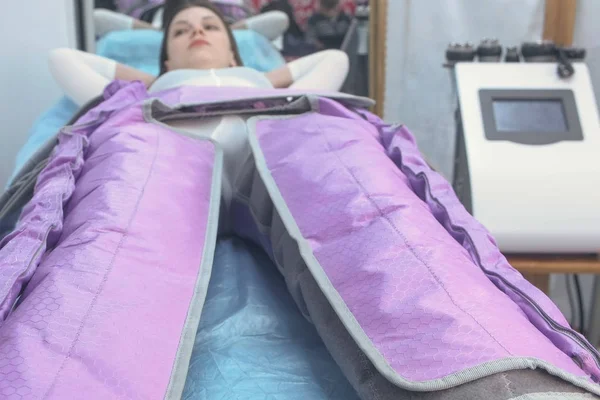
{"x":445,"y":206}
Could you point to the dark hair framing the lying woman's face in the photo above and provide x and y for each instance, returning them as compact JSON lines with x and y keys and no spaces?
{"x":172,"y":8}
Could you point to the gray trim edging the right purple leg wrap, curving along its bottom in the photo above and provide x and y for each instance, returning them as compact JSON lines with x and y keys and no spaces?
{"x":350,"y":322}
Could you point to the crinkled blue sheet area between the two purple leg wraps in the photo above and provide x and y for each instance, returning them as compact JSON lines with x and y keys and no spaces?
{"x":252,"y":342}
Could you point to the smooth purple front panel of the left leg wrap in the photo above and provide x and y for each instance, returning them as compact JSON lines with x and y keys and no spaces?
{"x":104,"y":312}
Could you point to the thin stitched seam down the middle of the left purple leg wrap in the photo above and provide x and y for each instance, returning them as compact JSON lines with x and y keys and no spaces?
{"x":107,"y":273}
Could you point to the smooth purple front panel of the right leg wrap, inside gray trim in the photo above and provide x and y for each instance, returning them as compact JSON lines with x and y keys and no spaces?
{"x":413,"y":289}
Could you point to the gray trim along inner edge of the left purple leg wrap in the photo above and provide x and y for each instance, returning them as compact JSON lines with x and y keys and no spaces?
{"x":190,"y":328}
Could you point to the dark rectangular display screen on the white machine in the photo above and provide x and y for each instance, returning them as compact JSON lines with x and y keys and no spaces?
{"x":544,"y":116}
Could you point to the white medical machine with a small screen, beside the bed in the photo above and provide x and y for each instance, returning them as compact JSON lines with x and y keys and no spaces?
{"x":528,"y":154}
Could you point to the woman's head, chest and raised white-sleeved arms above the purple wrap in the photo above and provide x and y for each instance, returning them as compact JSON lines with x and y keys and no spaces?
{"x":199,"y":50}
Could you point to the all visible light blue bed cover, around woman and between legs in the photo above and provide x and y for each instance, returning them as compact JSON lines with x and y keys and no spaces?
{"x":252,"y":343}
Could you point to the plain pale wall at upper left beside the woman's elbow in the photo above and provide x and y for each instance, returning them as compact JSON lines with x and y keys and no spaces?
{"x":30,"y":29}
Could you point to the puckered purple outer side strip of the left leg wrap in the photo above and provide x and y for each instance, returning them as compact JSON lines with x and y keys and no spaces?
{"x":40,"y":222}
